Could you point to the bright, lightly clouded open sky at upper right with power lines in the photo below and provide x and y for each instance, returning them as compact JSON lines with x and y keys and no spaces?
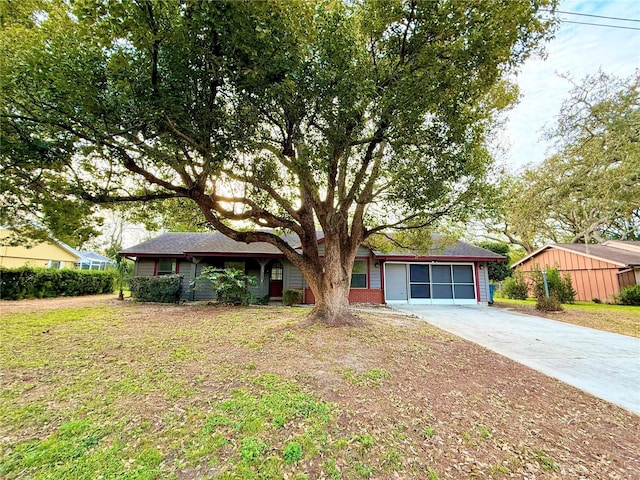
{"x":576,"y":50}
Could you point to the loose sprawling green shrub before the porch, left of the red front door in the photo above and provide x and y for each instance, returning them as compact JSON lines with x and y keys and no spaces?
{"x":230,"y":284}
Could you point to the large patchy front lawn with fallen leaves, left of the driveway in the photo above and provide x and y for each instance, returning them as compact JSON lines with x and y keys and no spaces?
{"x":183,"y":392}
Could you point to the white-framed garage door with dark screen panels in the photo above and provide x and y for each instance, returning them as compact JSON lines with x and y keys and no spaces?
{"x":430,"y":283}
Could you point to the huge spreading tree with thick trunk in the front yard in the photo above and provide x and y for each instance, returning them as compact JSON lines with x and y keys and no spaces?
{"x":351,"y":117}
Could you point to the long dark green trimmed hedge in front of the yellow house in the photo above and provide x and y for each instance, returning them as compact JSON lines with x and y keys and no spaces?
{"x":28,"y":282}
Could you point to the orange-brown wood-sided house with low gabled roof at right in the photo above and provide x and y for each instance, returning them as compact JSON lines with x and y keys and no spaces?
{"x":597,"y":271}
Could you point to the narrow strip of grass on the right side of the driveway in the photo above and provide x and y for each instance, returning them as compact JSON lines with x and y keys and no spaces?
{"x":621,"y":319}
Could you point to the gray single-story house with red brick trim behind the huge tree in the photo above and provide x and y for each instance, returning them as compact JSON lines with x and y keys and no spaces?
{"x":450,"y":273}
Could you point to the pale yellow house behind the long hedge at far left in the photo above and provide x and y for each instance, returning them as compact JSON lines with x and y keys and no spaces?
{"x":49,"y":254}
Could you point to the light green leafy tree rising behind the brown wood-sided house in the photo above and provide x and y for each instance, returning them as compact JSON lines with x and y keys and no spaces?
{"x":589,"y":190}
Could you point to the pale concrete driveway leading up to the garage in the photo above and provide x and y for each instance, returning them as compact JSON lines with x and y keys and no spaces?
{"x":604,"y":364}
